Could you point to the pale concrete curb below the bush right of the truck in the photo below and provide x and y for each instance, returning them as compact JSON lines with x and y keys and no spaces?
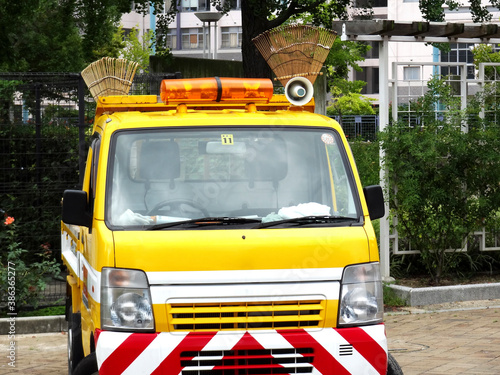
{"x":445,"y":294}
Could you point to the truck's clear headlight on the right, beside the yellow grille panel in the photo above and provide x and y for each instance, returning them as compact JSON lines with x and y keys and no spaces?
{"x":361,"y":298}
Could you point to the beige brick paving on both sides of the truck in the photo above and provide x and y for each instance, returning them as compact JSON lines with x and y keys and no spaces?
{"x":462,"y":338}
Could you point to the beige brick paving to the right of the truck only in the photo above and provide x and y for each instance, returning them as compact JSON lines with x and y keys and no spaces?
{"x":460,"y":340}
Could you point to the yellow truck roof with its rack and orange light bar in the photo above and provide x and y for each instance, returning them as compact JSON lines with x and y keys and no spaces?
{"x":213,"y":101}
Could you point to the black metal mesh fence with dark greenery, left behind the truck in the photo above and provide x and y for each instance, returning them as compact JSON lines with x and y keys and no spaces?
{"x":45,"y":125}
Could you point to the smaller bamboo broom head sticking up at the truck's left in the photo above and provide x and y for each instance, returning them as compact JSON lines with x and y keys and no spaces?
{"x":109,"y":76}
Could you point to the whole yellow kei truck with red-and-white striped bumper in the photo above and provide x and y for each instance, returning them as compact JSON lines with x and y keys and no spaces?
{"x":221,"y":230}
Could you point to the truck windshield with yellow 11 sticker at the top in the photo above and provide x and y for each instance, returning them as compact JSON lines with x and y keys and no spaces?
{"x":261,"y":175}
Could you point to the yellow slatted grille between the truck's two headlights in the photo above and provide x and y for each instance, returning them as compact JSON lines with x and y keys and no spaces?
{"x":244,"y":316}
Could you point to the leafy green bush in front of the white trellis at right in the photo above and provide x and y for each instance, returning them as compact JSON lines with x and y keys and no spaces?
{"x":445,"y":177}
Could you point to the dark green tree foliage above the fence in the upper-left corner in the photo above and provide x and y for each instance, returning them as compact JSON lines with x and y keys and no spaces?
{"x":57,"y":35}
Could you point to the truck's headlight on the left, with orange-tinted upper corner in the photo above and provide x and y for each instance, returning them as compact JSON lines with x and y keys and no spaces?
{"x":125,"y":300}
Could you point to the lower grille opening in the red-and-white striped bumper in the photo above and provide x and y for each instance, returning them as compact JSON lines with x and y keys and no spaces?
{"x":255,"y":362}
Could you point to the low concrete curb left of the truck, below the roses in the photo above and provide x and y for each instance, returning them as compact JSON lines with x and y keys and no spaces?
{"x":37,"y":324}
